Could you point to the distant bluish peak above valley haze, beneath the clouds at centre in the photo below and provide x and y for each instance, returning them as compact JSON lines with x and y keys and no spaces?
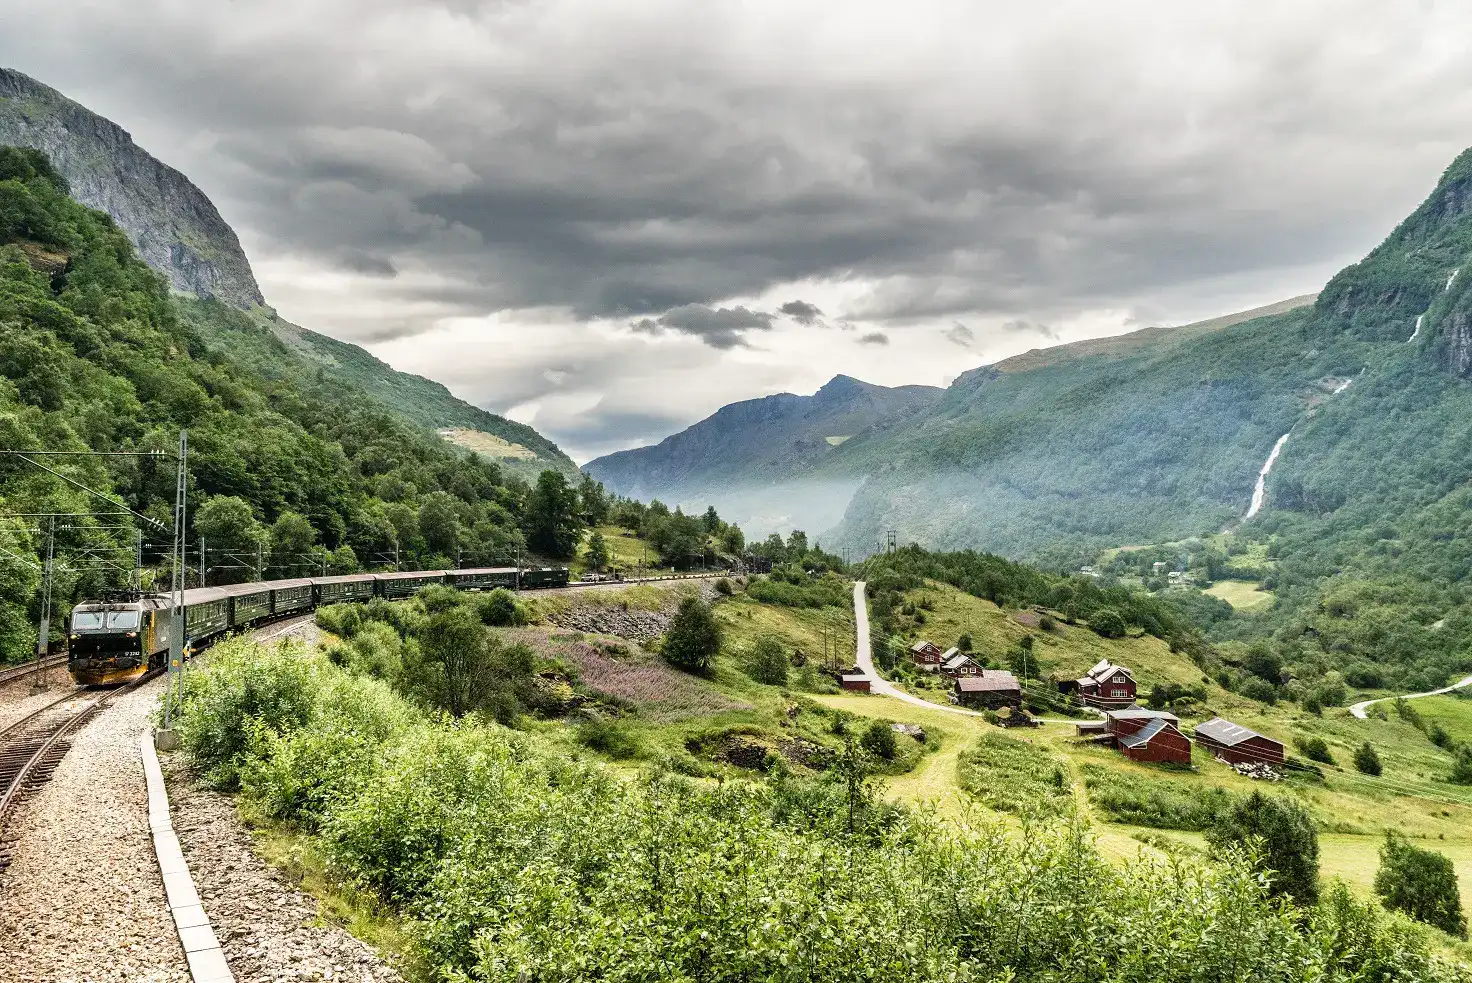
{"x":744,"y":448}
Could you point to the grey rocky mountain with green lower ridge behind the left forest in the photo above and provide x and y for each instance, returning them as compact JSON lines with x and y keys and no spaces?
{"x":177,"y":230}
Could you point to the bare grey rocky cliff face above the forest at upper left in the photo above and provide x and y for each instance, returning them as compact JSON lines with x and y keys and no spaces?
{"x":174,"y":226}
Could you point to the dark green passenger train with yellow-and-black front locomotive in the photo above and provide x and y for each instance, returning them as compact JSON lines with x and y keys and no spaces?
{"x":123,"y":638}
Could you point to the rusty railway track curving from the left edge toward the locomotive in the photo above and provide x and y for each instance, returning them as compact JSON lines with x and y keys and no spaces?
{"x":35,"y":745}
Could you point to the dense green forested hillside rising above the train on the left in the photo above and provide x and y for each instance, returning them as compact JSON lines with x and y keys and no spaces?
{"x":291,"y":473}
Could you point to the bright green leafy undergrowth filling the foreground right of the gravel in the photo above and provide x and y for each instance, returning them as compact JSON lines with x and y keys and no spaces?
{"x":522,"y":866}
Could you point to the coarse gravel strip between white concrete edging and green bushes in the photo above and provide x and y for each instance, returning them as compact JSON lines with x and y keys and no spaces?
{"x":269,"y":929}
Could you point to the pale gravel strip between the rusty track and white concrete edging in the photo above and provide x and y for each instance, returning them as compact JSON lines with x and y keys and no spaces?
{"x":83,"y":900}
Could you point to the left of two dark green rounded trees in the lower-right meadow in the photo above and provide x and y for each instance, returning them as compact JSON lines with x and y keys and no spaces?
{"x":1280,"y":837}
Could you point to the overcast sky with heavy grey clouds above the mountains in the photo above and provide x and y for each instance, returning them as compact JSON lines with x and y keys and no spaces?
{"x":610,"y":219}
